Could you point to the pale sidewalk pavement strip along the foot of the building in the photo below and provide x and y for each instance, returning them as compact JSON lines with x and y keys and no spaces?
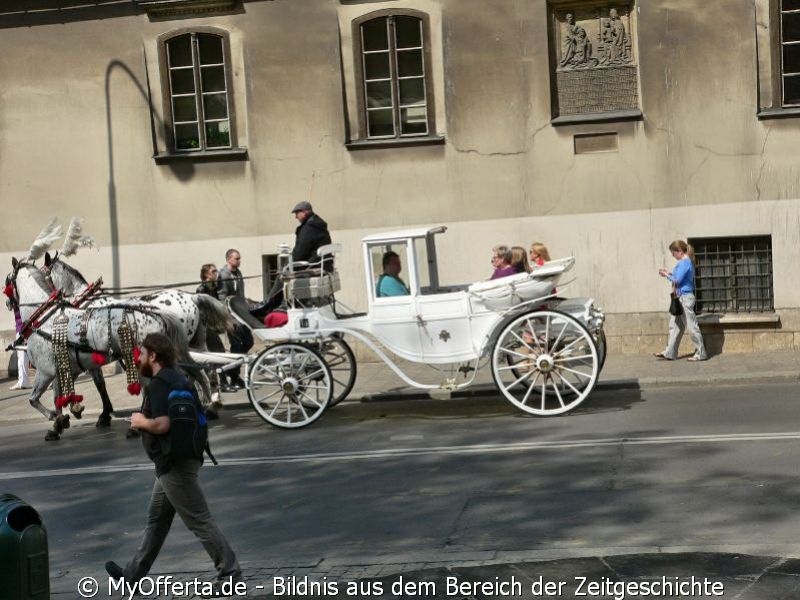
{"x":375,"y":381}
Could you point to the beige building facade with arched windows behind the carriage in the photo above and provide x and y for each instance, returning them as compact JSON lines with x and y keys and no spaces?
{"x":181,"y":128}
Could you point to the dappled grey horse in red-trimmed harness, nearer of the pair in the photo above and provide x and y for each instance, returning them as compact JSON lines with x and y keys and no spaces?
{"x":89,"y":332}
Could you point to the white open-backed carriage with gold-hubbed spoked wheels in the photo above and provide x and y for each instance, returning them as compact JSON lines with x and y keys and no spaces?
{"x":545,"y":353}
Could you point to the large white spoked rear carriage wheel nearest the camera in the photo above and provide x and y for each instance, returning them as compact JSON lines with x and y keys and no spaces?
{"x":545,"y":362}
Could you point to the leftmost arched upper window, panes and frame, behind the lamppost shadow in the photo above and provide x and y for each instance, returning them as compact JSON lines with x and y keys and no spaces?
{"x":199,"y":96}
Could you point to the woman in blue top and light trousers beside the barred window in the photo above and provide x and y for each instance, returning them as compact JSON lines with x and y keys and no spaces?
{"x":682,"y":280}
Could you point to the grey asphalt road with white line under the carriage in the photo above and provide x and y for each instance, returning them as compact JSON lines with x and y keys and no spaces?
{"x":660,"y":469}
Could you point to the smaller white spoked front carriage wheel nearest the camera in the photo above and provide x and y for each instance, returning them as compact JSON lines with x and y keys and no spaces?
{"x":290,"y":386}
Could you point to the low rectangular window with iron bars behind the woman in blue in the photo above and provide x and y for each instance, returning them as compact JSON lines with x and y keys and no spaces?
{"x":734,"y":274}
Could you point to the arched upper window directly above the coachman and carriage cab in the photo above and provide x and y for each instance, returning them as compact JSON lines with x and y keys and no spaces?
{"x":394,"y":79}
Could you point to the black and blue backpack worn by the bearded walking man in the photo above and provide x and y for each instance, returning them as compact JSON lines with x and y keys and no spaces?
{"x":188,"y":426}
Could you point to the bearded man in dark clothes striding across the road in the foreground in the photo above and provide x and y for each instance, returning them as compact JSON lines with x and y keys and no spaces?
{"x":176,"y":488}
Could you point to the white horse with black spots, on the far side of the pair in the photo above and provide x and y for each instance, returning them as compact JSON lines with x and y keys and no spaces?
{"x":195,"y":312}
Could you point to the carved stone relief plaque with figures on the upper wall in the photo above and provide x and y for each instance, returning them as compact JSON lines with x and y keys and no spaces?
{"x":595,"y":66}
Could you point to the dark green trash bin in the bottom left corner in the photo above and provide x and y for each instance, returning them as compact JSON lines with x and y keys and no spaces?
{"x":24,"y":562}
